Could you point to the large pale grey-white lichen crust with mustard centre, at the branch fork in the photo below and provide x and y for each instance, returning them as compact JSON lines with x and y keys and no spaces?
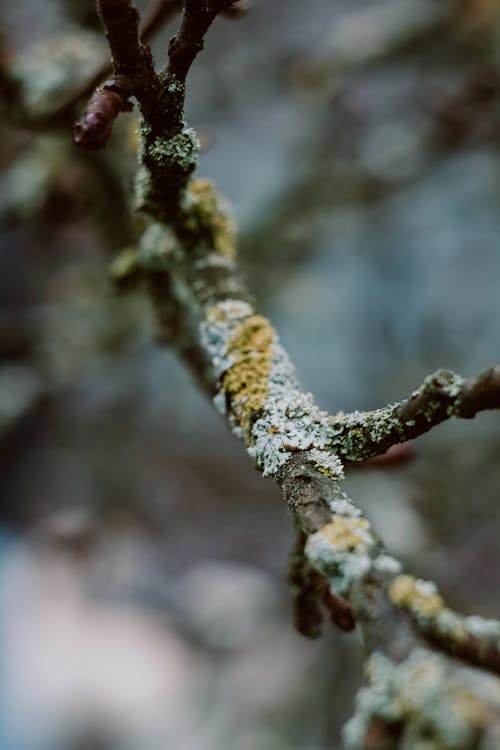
{"x":260,"y":393}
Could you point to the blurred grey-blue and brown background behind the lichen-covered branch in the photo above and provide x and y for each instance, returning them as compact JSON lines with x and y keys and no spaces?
{"x":143,"y":593}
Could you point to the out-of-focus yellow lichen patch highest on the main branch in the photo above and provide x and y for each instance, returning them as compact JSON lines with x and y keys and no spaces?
{"x":205,"y":214}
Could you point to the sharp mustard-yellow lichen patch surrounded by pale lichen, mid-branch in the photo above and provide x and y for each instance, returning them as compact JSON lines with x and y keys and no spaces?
{"x":246,"y":382}
